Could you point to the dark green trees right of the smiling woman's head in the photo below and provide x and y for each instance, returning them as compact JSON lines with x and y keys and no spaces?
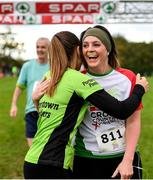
{"x":135,"y":56}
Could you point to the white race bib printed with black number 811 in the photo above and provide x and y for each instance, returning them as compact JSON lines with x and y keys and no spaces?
{"x":111,"y":140}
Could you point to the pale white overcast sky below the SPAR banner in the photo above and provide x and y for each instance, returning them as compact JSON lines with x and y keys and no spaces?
{"x":28,"y":34}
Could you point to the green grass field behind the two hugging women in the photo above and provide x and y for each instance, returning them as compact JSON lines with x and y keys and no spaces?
{"x":12,"y":139}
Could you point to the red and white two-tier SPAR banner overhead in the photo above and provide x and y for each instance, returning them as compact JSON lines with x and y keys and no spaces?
{"x":53,"y":12}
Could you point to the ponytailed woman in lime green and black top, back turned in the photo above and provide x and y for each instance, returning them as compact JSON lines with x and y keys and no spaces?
{"x":62,"y":109}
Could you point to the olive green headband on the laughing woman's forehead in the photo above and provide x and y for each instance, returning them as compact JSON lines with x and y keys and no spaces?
{"x":101,"y":35}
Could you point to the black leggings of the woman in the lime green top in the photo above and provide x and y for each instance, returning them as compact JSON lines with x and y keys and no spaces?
{"x":38,"y":171}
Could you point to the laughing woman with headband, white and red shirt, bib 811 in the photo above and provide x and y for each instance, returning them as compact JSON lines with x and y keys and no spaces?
{"x":106,"y":146}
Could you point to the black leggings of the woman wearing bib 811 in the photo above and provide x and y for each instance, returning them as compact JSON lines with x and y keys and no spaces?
{"x":91,"y":168}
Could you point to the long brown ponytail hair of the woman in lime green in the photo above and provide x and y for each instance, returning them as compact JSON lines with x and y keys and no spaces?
{"x":62,"y":54}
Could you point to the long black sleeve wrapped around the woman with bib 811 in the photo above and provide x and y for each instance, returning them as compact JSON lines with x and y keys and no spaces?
{"x":118,"y":109}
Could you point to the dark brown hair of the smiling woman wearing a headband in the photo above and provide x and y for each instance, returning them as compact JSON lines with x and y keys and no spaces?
{"x":112,"y":57}
